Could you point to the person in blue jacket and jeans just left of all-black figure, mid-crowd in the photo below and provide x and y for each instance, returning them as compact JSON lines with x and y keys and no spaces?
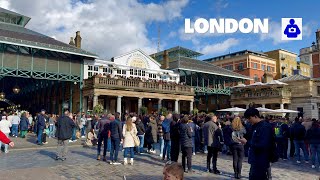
{"x":166,"y":137}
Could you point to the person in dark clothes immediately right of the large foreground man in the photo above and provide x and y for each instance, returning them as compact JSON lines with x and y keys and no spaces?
{"x":281,"y":131}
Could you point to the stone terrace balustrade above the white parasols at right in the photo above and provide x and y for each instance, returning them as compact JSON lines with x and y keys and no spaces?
{"x":261,"y":94}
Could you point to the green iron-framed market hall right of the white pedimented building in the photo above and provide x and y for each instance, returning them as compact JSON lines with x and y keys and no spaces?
{"x":212,"y":84}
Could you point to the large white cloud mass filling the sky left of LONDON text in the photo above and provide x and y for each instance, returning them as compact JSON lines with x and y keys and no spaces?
{"x":108,"y":28}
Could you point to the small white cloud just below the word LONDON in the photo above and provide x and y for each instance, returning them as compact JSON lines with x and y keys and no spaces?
{"x":221,"y":47}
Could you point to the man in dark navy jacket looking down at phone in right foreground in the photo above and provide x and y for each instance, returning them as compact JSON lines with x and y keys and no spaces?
{"x":261,"y":151}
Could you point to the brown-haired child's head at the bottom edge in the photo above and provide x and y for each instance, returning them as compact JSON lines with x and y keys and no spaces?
{"x":173,"y":171}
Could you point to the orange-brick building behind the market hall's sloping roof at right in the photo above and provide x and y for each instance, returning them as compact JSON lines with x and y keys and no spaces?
{"x":248,"y":63}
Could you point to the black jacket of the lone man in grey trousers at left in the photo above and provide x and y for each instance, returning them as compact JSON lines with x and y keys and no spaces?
{"x":64,"y":128}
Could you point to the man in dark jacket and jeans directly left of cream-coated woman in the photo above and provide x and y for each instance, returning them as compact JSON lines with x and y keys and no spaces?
{"x":116,"y":137}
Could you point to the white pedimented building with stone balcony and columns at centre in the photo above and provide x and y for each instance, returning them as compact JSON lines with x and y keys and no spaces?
{"x":128,"y":82}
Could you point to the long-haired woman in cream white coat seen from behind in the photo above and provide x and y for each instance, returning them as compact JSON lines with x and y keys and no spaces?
{"x":129,"y":130}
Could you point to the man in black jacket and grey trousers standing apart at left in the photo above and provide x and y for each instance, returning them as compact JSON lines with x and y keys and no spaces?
{"x":64,"y":132}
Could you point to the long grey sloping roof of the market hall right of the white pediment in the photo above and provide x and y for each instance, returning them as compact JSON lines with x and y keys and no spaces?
{"x":195,"y":65}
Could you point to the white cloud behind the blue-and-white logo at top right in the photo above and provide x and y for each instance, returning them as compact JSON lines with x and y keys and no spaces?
{"x":275,"y":32}
